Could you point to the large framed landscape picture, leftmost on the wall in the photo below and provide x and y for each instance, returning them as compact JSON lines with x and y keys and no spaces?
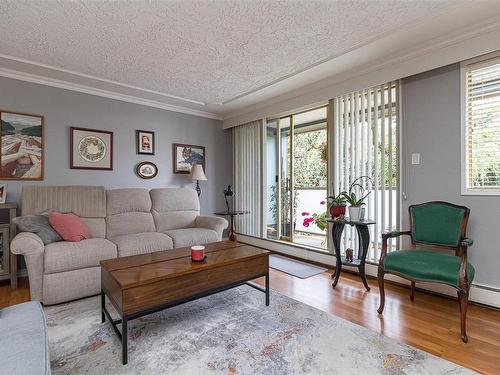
{"x":22,"y":155}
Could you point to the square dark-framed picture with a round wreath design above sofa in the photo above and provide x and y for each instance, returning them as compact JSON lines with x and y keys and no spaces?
{"x":91,"y":149}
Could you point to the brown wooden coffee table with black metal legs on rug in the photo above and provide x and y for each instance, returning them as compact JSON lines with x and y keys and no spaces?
{"x":143,"y":284}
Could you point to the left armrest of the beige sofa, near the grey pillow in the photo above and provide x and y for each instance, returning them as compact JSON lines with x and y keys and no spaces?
{"x":31,"y":246}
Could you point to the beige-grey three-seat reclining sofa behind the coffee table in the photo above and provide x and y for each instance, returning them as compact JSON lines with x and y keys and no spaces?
{"x":121,"y":222}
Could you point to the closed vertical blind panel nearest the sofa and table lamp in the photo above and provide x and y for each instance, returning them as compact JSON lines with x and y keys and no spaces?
{"x":247,"y":156}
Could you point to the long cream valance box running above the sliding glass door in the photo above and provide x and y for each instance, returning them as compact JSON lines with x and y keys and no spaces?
{"x":471,"y":41}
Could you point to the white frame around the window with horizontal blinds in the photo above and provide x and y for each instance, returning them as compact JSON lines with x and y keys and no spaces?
{"x":465,"y":67}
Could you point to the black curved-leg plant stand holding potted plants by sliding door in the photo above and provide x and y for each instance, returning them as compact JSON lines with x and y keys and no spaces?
{"x":364,"y":242}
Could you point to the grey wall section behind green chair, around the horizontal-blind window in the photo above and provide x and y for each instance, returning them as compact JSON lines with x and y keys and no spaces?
{"x":431,"y":109}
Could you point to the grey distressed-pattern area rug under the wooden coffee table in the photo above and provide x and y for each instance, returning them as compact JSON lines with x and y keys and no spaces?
{"x":230,"y":333}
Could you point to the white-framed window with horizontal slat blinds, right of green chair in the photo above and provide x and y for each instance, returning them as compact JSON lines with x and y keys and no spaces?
{"x":480,"y":97}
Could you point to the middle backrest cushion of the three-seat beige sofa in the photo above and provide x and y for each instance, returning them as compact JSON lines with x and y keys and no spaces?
{"x":129,"y":211}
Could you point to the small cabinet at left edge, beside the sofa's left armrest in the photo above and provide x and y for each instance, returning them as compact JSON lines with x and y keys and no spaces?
{"x":8,"y":232}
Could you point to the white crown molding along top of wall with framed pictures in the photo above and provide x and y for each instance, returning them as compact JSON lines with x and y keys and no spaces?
{"x":62,"y":84}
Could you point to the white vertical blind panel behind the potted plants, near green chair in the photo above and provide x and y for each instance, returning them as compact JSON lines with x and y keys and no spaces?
{"x":366,"y":143}
